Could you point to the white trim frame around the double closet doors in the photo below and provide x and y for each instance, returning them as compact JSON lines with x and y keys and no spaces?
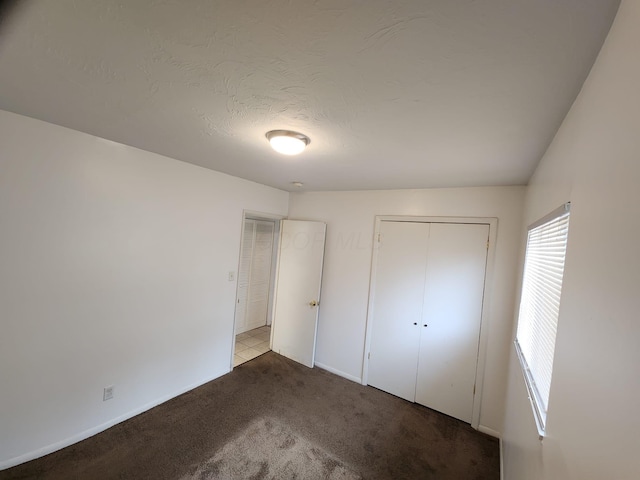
{"x":492,"y":222}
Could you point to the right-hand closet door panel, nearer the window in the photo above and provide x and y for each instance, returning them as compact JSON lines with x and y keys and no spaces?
{"x":452,"y":311}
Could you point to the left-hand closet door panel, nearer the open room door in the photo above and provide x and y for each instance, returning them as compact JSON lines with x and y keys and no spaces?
{"x":398,"y":301}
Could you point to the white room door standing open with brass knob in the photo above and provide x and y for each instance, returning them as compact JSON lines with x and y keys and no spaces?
{"x":297,"y":295}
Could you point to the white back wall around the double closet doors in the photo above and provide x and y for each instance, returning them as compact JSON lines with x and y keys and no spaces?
{"x":350,"y":220}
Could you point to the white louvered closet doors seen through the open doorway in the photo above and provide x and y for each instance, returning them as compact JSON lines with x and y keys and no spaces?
{"x":255,"y":274}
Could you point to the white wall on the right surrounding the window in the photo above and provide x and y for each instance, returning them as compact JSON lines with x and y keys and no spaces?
{"x":593,"y":422}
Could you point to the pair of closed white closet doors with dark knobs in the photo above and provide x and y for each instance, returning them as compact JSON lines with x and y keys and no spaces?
{"x":428,"y":289}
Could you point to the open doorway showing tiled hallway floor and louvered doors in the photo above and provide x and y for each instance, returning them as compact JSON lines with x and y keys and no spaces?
{"x":254,"y":299}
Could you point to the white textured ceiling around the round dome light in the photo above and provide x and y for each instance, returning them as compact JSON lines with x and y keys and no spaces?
{"x":394,"y":94}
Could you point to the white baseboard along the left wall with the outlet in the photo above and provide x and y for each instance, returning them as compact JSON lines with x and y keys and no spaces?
{"x":41,"y":452}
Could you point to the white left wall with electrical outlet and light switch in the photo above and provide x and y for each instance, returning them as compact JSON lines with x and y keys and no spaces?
{"x":113,"y":271}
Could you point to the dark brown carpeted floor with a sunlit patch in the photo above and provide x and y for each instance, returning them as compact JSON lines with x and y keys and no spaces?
{"x":272,"y":418}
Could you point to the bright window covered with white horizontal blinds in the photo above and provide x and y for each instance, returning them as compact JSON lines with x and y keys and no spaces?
{"x":539,"y":306}
